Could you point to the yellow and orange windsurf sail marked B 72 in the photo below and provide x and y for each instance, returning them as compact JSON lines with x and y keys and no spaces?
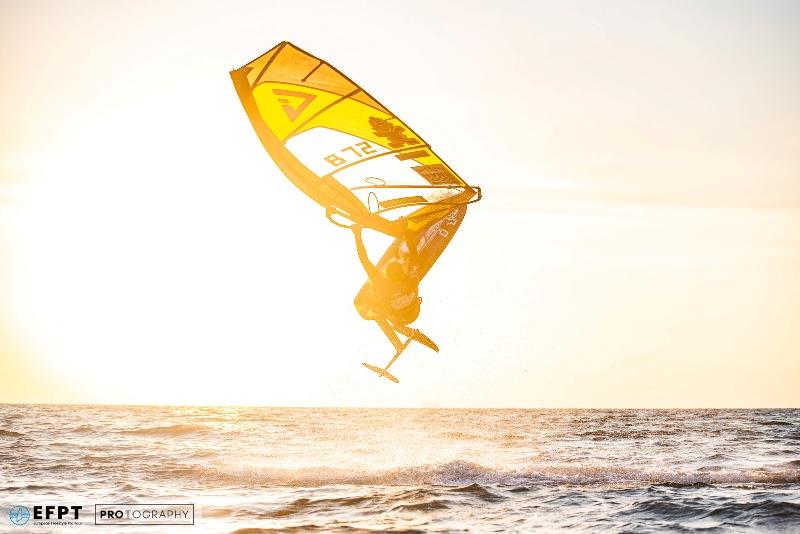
{"x":343,"y":148}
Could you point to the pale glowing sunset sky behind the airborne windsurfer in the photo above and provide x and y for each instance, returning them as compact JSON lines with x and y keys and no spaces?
{"x":638,"y":244}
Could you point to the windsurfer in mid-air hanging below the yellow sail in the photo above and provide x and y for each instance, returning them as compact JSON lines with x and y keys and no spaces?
{"x":391,"y":297}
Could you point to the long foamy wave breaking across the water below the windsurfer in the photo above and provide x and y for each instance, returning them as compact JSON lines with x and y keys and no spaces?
{"x":464,"y":474}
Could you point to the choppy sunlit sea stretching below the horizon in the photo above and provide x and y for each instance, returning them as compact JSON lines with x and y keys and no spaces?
{"x":258,"y":470}
